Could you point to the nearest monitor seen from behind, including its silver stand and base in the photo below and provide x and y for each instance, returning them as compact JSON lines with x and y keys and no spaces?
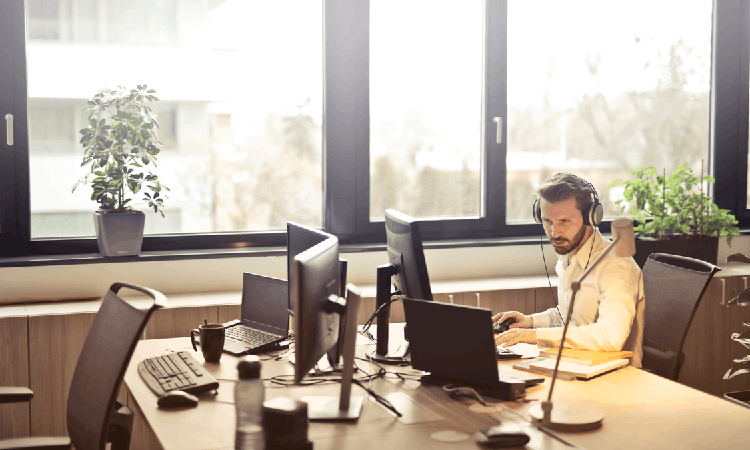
{"x":315,"y":288}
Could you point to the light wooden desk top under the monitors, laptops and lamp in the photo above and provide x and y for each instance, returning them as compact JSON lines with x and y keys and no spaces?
{"x":641,"y":411}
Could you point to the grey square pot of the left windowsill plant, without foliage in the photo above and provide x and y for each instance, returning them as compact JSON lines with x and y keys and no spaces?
{"x":119,"y":233}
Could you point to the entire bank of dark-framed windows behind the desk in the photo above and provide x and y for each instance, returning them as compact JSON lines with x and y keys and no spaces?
{"x":327,"y":113}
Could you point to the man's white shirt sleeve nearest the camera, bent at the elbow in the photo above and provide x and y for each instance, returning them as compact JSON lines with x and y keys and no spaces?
{"x":618,"y":286}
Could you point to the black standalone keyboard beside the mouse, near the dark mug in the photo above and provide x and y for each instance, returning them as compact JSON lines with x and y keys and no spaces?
{"x":175,"y":371}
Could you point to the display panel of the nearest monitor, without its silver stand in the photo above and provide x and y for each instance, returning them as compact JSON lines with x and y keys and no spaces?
{"x":316,"y":274}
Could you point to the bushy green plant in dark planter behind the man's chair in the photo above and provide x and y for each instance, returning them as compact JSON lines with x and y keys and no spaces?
{"x":674,"y":216}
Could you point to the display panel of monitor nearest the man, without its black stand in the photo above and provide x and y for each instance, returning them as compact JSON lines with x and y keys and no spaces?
{"x":405,"y":252}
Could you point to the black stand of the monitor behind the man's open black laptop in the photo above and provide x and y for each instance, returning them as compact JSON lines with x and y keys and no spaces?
{"x":383,"y":295}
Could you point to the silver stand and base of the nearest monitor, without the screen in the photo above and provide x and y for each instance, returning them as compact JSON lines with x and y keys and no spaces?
{"x":343,"y":407}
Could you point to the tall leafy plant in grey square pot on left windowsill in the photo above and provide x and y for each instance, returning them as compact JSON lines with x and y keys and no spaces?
{"x":119,"y":143}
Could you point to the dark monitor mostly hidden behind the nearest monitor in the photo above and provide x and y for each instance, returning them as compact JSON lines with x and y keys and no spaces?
{"x":299,"y":239}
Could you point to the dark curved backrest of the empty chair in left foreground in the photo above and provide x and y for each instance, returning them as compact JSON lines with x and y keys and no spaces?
{"x":102,"y":363}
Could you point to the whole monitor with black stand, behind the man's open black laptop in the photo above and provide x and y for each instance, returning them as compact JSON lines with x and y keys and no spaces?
{"x":406,"y":271}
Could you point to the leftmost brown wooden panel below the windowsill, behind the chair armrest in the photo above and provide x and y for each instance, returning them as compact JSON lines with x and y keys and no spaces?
{"x":14,"y":371}
